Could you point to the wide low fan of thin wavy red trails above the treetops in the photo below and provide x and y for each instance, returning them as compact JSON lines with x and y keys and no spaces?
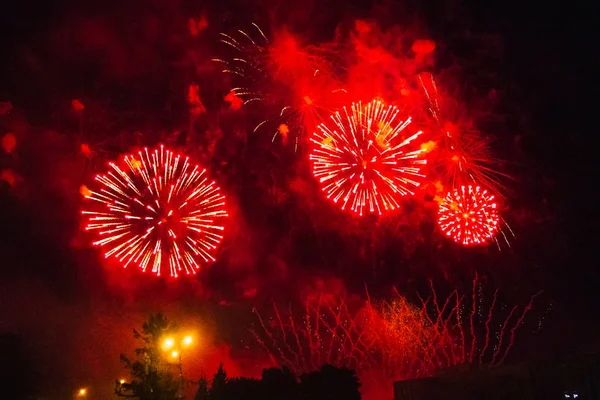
{"x":395,"y":337}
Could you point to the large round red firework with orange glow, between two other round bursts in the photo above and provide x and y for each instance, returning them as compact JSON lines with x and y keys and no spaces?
{"x":365,"y":158}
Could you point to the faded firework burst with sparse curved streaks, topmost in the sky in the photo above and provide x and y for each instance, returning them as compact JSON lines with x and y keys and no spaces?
{"x":293,"y":83}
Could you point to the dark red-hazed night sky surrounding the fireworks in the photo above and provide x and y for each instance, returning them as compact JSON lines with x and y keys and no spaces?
{"x":130,"y":64}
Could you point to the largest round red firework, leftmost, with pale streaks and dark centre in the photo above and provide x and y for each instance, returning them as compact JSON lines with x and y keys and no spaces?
{"x":156,"y":211}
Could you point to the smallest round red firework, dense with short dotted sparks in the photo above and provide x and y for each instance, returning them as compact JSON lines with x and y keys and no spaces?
{"x":469,"y":215}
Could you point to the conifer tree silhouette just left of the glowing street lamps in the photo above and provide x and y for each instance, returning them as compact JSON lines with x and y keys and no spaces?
{"x":152,"y":379}
